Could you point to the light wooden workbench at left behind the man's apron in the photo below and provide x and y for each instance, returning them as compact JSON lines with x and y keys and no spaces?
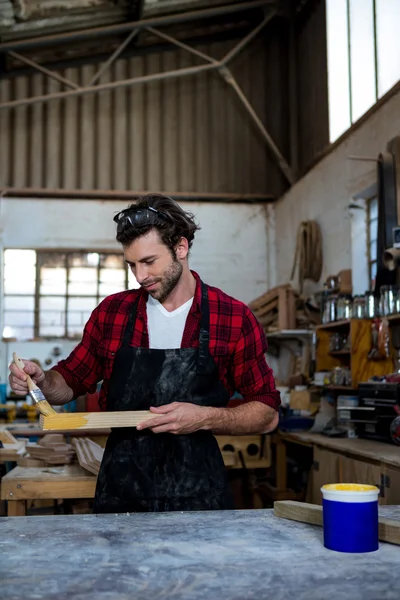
{"x":54,"y":483}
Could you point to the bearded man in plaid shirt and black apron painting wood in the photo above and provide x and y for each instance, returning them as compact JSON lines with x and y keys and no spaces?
{"x":177,"y":347}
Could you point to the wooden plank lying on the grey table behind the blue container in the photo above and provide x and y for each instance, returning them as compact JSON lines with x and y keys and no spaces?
{"x":389,"y":530}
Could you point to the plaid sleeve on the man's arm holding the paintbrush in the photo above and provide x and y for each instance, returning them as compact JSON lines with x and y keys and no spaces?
{"x":83,"y":368}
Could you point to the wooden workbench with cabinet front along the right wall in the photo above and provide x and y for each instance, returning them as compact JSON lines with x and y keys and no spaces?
{"x":337,"y":460}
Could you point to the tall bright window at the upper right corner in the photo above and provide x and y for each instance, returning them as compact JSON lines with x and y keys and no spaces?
{"x":363,"y":58}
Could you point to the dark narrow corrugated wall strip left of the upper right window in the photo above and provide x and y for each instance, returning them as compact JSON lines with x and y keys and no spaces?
{"x":312,"y":85}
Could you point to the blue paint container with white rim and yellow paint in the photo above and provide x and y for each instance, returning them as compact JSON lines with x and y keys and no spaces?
{"x":350,"y":516}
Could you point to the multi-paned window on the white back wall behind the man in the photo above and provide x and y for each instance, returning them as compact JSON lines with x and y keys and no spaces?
{"x":51,"y":294}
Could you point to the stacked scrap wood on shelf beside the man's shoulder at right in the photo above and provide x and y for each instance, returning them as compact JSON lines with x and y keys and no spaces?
{"x":284,"y":308}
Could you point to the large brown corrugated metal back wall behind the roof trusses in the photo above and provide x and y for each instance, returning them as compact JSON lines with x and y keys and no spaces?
{"x":188,"y":135}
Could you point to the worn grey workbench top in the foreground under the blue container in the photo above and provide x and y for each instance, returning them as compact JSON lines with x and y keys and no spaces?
{"x":233,"y":555}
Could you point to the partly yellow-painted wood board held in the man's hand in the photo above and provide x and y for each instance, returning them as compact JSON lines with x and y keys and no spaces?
{"x":96,"y":420}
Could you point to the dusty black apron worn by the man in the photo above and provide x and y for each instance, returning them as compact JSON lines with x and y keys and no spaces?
{"x":144,"y":471}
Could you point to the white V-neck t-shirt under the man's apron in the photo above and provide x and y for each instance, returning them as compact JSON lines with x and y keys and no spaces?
{"x":166,"y":328}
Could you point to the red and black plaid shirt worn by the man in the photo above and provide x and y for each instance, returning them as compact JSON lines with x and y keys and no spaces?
{"x":237,"y":343}
